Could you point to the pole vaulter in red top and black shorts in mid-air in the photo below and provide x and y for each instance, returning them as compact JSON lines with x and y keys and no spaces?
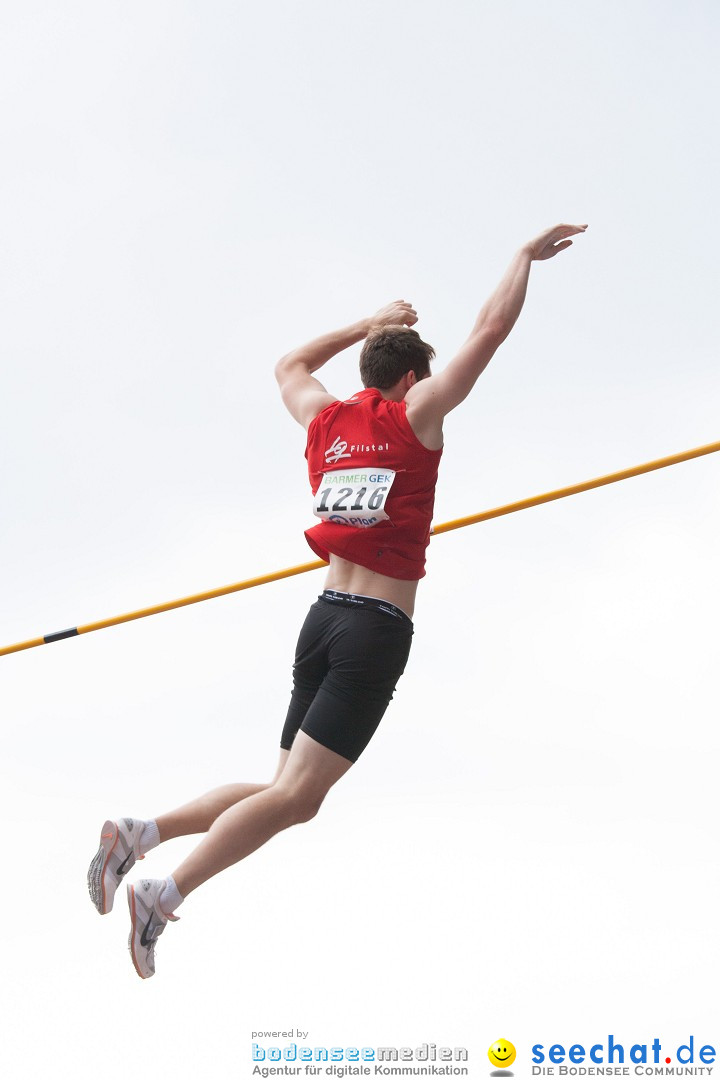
{"x":373,"y":464}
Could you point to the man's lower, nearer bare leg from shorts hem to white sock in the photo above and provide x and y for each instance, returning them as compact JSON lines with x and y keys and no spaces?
{"x":296,"y":796}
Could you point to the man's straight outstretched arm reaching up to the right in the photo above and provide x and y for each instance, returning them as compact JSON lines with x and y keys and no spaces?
{"x":431,"y":400}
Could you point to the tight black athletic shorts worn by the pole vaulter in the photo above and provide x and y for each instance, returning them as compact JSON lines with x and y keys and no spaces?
{"x":350,"y":655}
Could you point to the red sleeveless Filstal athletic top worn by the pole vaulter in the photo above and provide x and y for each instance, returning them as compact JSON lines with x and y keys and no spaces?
{"x":374,"y":487}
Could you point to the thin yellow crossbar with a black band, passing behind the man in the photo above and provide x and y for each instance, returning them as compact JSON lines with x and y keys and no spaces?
{"x":291,"y":572}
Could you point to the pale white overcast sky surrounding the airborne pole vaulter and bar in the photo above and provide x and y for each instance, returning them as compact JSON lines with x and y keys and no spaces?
{"x":527,"y":849}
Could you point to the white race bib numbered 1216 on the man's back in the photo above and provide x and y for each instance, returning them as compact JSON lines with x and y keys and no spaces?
{"x":355,"y":498}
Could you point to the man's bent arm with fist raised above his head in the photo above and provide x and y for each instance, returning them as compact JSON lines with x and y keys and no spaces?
{"x":306,"y":397}
